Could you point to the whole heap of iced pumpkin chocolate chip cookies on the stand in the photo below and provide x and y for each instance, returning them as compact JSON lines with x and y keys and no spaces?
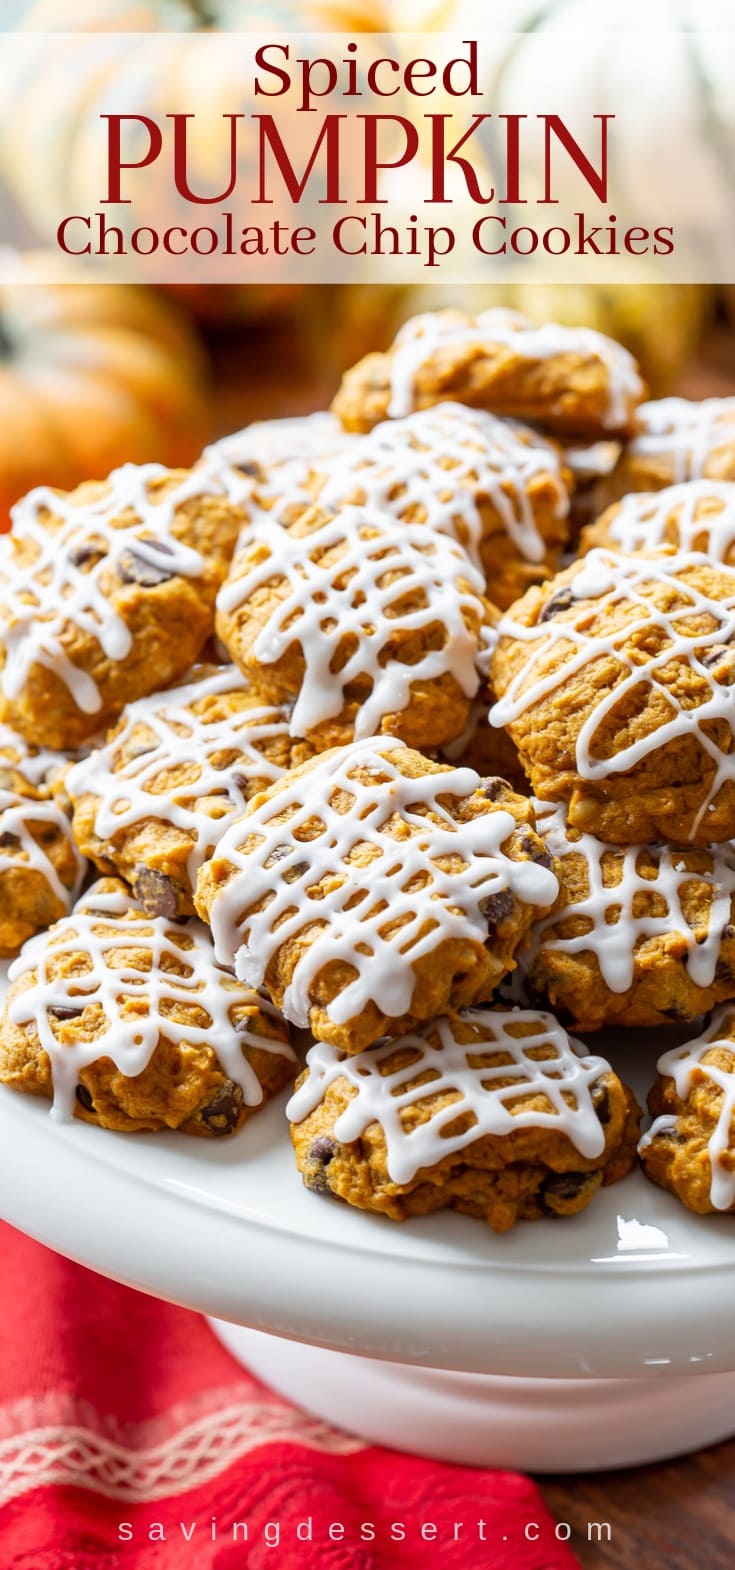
{"x":354,"y":748}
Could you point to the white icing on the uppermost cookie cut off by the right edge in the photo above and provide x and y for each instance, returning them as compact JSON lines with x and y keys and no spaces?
{"x":687,"y":433}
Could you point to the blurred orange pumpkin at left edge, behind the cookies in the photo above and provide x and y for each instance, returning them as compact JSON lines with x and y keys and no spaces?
{"x":93,"y":376}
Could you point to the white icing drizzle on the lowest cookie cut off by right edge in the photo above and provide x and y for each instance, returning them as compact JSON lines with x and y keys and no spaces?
{"x":686,"y":1067}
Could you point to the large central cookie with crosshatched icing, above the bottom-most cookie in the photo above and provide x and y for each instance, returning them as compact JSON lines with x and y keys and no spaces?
{"x":373,"y":889}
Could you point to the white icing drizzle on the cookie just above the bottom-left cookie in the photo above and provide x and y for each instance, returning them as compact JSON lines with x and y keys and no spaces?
{"x":214,"y":762}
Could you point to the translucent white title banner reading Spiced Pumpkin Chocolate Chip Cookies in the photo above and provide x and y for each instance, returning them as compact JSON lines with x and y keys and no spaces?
{"x":560,"y":155}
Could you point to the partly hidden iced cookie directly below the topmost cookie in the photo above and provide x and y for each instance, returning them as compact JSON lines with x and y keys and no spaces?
{"x":494,"y":486}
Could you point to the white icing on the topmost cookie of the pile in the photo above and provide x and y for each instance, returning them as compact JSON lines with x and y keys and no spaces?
{"x":426,"y":335}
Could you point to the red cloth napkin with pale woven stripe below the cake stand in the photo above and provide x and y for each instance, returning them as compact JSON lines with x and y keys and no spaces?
{"x":131,"y":1440}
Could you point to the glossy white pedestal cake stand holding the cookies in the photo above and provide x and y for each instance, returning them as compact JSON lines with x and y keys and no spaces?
{"x":599,"y":1342}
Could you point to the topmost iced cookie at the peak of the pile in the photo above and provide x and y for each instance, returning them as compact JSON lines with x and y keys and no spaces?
{"x":568,"y":379}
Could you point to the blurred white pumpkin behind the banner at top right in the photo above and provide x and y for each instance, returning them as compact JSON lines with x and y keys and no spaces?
{"x":665,"y":68}
